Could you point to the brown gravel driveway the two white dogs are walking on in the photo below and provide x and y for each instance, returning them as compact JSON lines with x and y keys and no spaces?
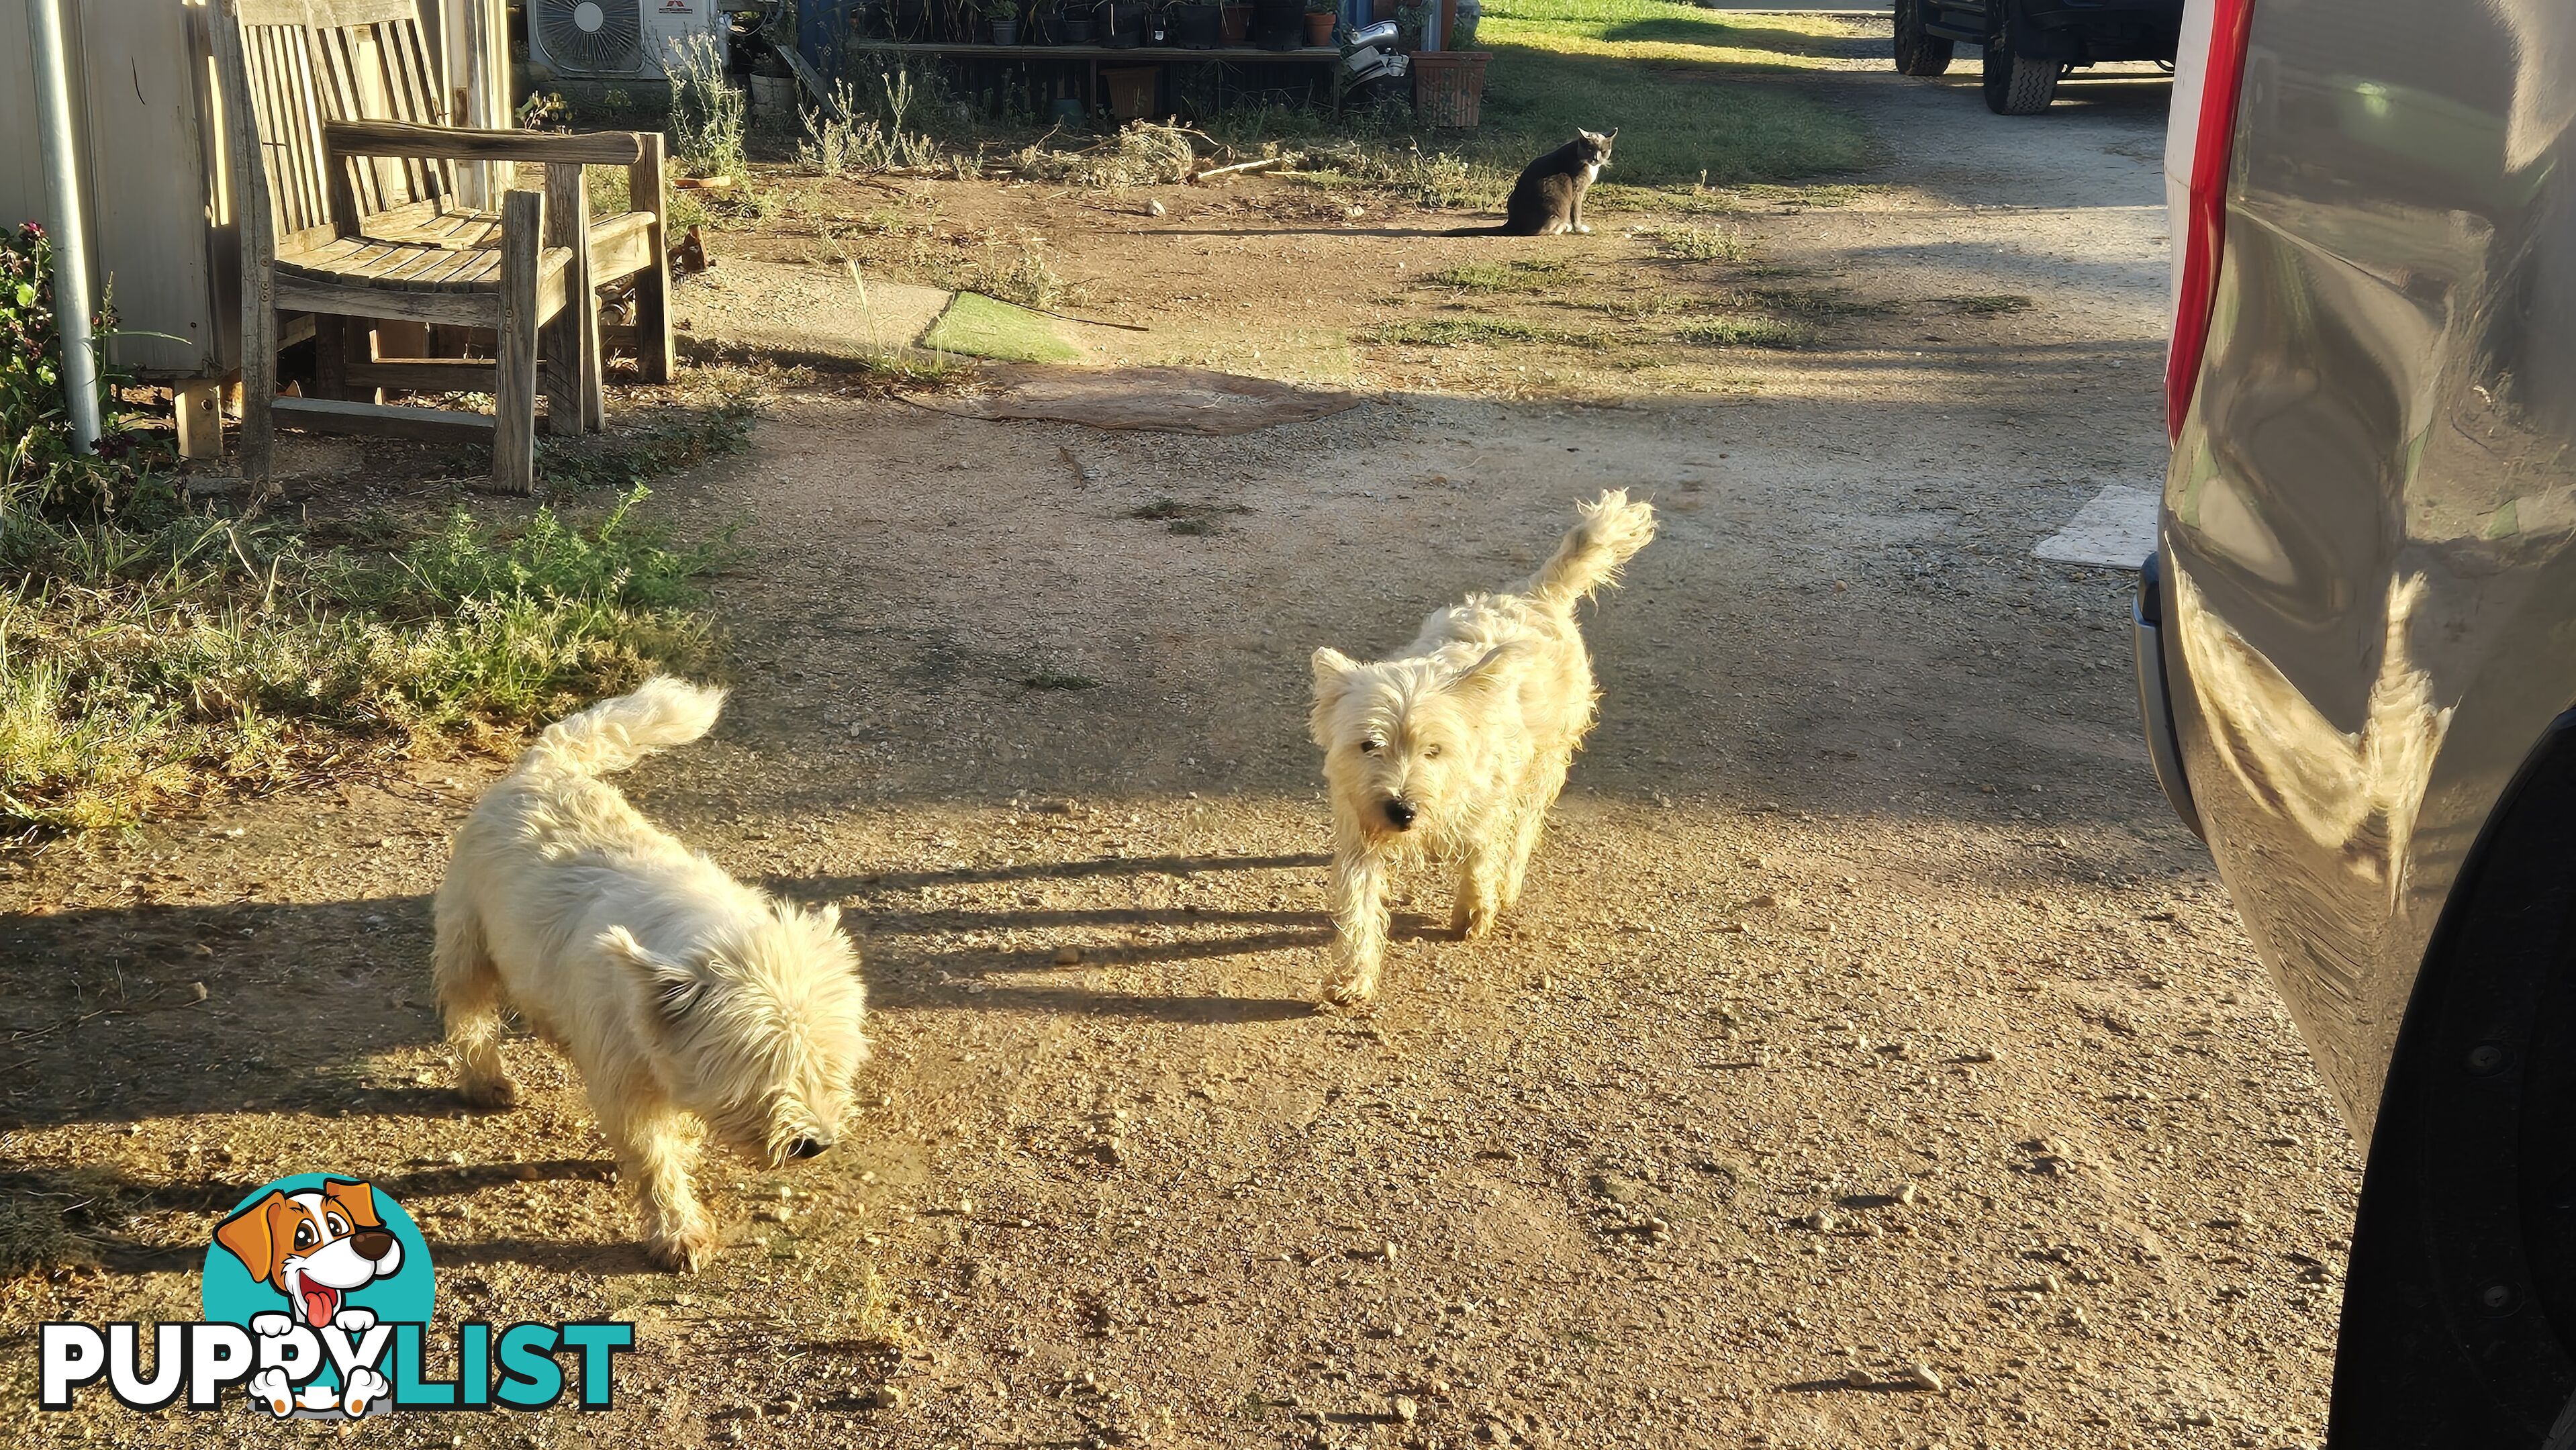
{"x":1874,"y":1062}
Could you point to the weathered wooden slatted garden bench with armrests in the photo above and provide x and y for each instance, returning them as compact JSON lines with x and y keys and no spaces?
{"x":344,"y":179}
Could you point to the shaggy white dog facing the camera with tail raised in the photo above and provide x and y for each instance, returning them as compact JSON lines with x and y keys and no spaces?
{"x":1457,"y":748}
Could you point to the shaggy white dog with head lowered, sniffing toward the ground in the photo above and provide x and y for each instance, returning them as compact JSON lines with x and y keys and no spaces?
{"x":684,"y":995}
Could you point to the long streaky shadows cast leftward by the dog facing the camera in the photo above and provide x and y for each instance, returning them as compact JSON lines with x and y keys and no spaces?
{"x":1001,"y":980}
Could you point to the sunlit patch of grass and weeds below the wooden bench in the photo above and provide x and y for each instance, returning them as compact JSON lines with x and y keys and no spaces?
{"x":207,"y":655}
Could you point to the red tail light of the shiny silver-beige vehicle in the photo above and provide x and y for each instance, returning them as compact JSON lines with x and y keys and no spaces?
{"x":2201,"y":212}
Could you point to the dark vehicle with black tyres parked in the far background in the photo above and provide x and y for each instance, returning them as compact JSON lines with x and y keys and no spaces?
{"x":2031,"y":45}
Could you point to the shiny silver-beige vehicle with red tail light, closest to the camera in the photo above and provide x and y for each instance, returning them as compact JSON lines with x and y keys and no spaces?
{"x":2358,"y":645}
